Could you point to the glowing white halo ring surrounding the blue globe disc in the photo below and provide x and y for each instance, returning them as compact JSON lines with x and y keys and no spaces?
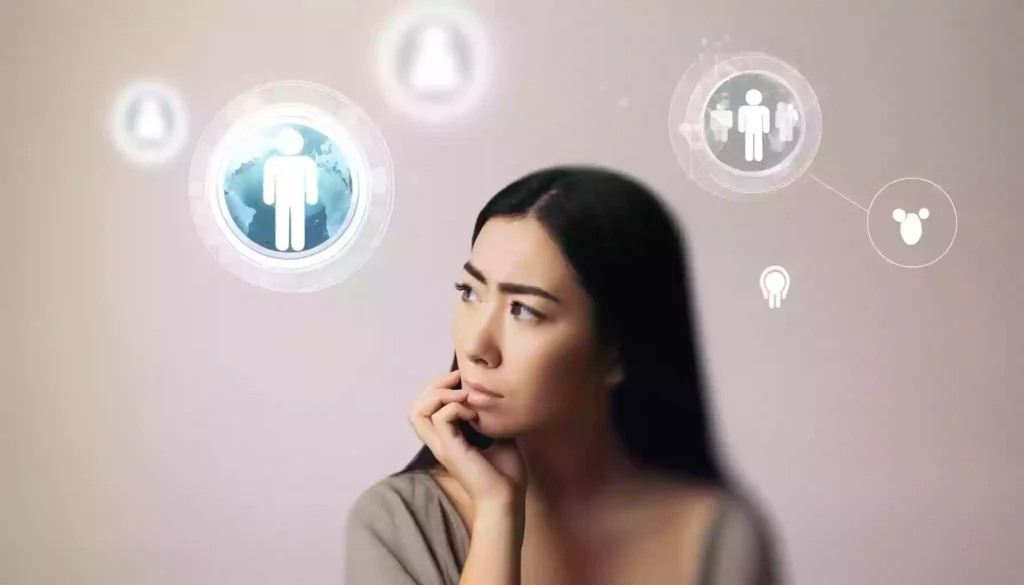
{"x":369,"y":164}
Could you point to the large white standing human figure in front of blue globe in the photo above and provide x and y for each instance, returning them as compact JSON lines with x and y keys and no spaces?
{"x":290,"y":184}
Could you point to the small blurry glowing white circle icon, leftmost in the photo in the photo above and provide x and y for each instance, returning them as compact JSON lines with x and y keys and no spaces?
{"x":149,"y":123}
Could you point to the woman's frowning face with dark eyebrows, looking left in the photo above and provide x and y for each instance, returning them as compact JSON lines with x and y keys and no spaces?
{"x":523,"y":329}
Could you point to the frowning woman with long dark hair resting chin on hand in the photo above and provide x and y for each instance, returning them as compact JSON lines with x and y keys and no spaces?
{"x":570,"y":443}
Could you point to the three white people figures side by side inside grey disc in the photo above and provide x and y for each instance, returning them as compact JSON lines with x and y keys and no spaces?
{"x":753,"y":120}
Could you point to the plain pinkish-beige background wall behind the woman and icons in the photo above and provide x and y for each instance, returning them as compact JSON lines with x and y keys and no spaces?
{"x":147,"y":437}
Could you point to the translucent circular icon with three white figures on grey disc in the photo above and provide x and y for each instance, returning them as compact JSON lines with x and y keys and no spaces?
{"x":745,"y":126}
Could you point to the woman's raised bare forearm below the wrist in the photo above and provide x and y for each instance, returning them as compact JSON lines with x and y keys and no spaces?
{"x":496,"y":547}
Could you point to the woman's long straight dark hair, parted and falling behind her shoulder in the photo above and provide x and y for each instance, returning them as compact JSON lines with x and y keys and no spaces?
{"x":629,"y":257}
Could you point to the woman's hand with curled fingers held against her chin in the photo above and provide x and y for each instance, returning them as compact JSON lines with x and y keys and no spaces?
{"x":496,"y":476}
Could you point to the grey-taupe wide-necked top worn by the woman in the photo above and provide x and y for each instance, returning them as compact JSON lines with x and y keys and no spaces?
{"x":404,"y":530}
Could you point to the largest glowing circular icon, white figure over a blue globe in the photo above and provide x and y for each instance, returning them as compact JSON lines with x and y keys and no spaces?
{"x":292,"y":187}
